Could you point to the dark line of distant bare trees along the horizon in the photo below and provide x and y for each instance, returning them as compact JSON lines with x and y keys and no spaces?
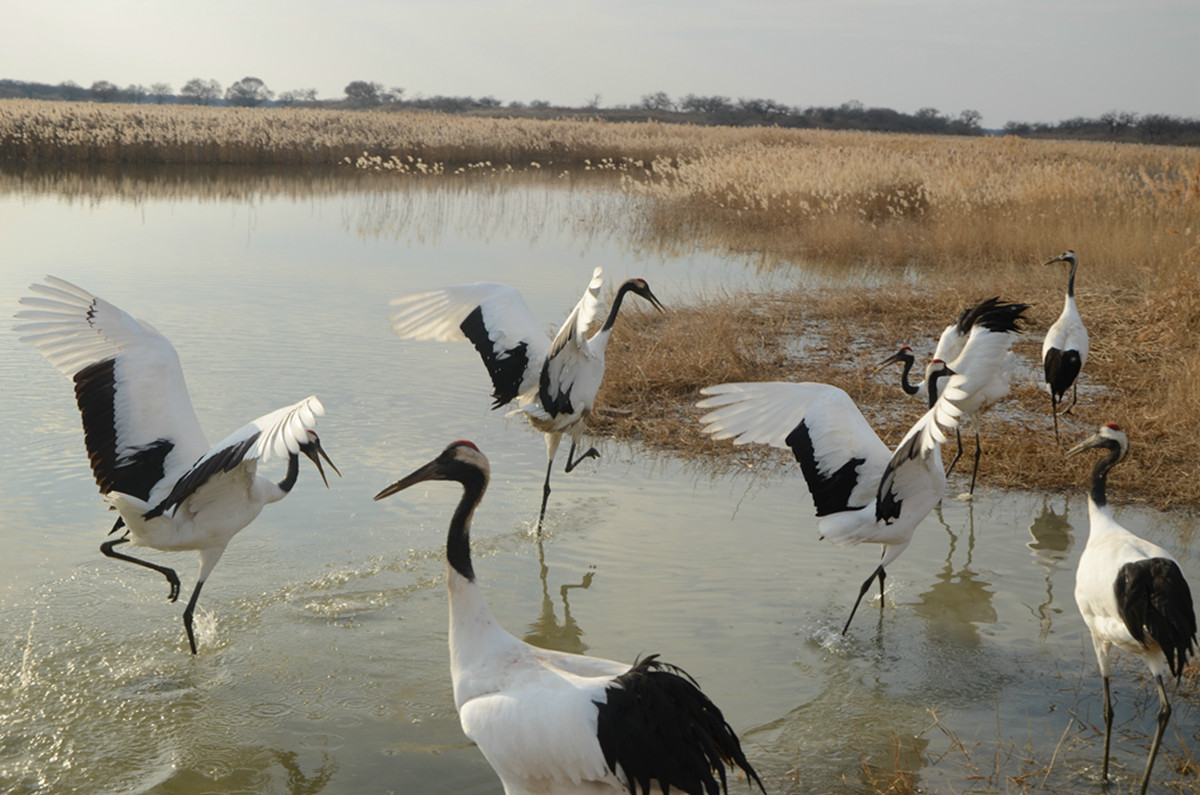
{"x":251,"y":92}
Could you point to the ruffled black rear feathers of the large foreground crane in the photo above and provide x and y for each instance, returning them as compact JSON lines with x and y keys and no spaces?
{"x":658,"y":726}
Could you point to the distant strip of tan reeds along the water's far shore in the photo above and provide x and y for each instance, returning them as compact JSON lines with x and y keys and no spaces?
{"x":82,"y":133}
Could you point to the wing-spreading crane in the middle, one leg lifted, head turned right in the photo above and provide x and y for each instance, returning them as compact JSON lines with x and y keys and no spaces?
{"x":554,"y":382}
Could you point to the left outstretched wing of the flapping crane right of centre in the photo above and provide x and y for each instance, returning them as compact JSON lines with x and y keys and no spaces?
{"x":842,"y":456}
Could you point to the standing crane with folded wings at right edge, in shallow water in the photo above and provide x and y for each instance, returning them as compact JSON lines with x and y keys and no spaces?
{"x":1131,"y":594}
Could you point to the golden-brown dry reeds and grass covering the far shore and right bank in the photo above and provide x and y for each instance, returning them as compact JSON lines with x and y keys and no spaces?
{"x":935,"y":223}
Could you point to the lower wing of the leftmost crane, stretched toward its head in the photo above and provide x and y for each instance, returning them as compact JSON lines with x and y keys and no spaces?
{"x":275,"y":435}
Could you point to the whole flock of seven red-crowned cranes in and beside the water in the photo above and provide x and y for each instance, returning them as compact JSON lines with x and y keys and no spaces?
{"x":554,"y":722}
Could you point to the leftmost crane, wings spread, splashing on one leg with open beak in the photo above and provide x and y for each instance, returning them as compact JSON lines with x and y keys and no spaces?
{"x":147,"y":449}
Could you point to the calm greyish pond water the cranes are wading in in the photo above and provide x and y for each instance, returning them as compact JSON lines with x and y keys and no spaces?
{"x":322,"y":632}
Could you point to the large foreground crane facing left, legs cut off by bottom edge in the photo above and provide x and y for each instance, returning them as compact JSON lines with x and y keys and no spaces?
{"x":553,"y":722}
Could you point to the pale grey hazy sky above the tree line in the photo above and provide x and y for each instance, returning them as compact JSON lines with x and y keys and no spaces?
{"x":1012,"y":61}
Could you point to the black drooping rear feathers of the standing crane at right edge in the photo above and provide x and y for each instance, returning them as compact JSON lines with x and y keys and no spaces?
{"x":1155,"y":602}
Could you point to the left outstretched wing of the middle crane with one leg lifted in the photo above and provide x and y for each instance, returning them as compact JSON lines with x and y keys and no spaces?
{"x":494,"y":318}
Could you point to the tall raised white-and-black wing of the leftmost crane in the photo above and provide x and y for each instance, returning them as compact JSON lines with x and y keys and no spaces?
{"x":137,"y":415}
